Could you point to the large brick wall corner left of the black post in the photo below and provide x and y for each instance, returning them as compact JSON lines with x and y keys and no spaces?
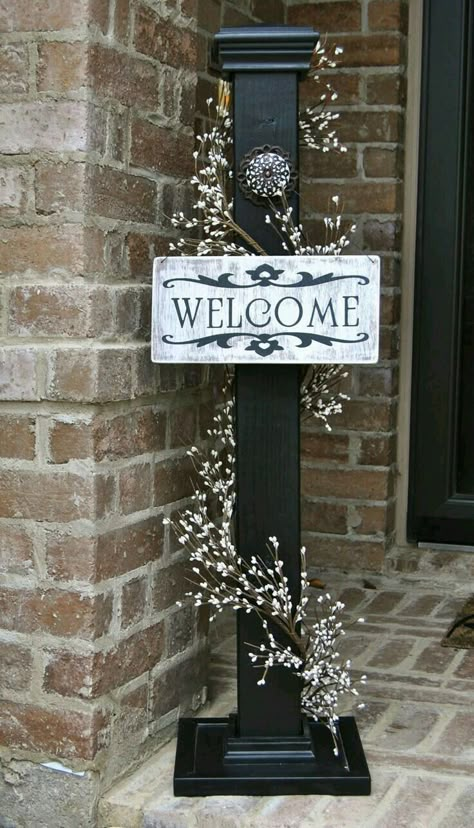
{"x":97,"y":108}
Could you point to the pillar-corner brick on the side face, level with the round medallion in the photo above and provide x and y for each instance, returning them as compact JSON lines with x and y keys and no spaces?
{"x":119,"y":195}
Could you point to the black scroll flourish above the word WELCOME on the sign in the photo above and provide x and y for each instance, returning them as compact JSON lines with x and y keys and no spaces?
{"x":265,"y":276}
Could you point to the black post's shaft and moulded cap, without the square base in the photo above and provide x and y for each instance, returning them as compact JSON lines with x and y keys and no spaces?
{"x":267,"y":396}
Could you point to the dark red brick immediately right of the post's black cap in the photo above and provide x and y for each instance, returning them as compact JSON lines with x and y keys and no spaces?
{"x":370,"y":50}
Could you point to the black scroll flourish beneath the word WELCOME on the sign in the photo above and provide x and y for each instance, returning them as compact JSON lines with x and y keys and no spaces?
{"x":265,"y":344}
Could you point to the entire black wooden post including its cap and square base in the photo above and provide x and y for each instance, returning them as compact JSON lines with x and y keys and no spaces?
{"x":269,"y":748}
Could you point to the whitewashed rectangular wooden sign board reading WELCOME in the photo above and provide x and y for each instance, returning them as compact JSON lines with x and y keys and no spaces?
{"x":275,"y":309}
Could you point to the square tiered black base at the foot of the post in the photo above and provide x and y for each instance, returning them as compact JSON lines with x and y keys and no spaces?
{"x":211,"y":760}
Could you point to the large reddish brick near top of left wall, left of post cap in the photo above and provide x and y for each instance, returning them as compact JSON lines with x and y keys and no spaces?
{"x":162,"y":40}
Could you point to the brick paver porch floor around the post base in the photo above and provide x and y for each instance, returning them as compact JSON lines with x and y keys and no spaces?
{"x":417,"y":728}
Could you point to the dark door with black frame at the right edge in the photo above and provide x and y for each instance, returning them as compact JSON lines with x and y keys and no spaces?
{"x":441,"y":492}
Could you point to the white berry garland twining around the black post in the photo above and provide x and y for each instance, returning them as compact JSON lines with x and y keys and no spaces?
{"x":222,"y":578}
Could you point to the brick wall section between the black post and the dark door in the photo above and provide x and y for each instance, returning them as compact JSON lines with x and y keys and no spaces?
{"x":348,"y":475}
